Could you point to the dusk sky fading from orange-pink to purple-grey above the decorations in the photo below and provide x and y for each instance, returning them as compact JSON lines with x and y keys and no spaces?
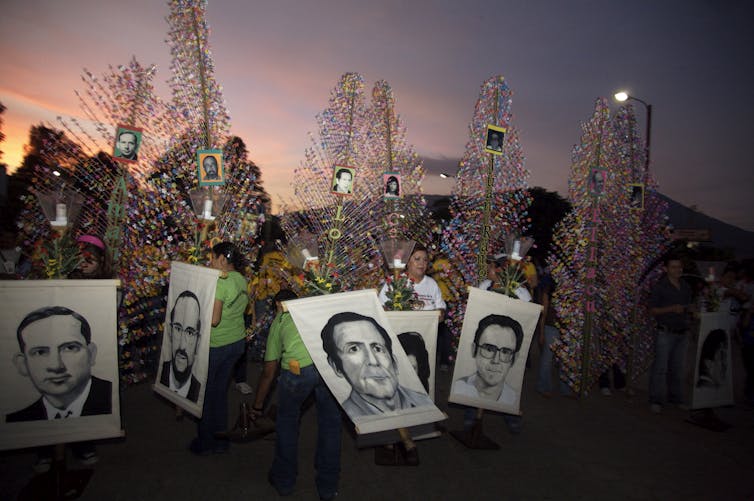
{"x":277,"y":61}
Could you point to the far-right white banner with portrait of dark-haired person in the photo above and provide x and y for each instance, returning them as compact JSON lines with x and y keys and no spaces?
{"x":713,"y":376}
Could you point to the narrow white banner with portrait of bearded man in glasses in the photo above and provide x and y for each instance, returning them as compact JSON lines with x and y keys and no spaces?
{"x":182,"y":372}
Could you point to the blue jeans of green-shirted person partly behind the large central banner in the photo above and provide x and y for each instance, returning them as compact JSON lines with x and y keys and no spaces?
{"x":292,"y":391}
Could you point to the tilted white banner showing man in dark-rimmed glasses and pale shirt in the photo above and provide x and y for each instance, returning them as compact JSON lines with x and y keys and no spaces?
{"x":495,"y":338}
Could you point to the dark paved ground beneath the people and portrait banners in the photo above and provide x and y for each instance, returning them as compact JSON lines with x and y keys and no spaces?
{"x":595,"y":448}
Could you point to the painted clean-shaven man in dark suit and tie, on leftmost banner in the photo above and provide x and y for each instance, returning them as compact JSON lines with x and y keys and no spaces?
{"x":57,"y":355}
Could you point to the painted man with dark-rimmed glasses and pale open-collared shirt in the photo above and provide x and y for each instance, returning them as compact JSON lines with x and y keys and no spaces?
{"x":497,"y":341}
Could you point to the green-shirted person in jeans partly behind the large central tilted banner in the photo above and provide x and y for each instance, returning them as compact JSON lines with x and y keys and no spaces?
{"x":298,"y":379}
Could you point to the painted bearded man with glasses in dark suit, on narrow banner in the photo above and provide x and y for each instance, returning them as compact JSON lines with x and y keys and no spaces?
{"x":185,"y":331}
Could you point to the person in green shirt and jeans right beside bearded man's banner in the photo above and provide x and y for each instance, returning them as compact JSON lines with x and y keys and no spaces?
{"x":226,"y":345}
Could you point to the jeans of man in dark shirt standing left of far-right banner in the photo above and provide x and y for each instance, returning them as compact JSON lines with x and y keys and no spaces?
{"x":670,"y":354}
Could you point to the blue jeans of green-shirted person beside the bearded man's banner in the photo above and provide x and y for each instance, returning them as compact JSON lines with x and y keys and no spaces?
{"x":215,"y":410}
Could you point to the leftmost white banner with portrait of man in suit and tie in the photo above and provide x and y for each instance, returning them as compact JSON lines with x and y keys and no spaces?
{"x":59,"y":362}
